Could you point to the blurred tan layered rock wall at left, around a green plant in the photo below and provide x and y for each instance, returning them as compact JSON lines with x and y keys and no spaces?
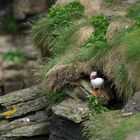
{"x":13,"y":75}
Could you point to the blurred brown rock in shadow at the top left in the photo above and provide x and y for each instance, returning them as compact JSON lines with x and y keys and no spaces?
{"x":28,"y":7}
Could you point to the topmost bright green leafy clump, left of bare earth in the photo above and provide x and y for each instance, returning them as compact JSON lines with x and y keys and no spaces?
{"x":63,"y":15}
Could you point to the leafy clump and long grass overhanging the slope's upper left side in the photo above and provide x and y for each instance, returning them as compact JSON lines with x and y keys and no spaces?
{"x":55,"y":34}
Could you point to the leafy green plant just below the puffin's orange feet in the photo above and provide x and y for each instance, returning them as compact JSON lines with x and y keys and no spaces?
{"x":95,"y":104}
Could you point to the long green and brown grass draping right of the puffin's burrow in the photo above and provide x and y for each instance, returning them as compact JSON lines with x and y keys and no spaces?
{"x":126,"y":72}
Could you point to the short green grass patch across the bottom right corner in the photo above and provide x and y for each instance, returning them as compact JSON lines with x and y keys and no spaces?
{"x":108,"y":125}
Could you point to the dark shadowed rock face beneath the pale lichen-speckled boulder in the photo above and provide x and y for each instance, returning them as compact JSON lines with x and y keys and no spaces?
{"x":63,"y":129}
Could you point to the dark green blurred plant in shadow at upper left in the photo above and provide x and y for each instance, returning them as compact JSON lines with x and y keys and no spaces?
{"x":10,"y":24}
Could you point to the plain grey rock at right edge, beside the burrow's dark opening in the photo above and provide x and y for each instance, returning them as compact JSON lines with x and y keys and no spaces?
{"x":133,"y":104}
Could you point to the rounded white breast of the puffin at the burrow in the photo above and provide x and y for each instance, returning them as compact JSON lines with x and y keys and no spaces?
{"x":97,"y":83}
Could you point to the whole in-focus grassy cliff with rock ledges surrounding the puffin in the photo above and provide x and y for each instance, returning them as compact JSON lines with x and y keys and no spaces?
{"x":75,"y":46}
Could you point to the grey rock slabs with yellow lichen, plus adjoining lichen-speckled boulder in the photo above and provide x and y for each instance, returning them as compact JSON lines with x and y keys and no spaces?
{"x":26,"y":114}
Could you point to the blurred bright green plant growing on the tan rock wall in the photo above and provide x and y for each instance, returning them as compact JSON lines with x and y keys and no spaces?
{"x":15,"y":56}
